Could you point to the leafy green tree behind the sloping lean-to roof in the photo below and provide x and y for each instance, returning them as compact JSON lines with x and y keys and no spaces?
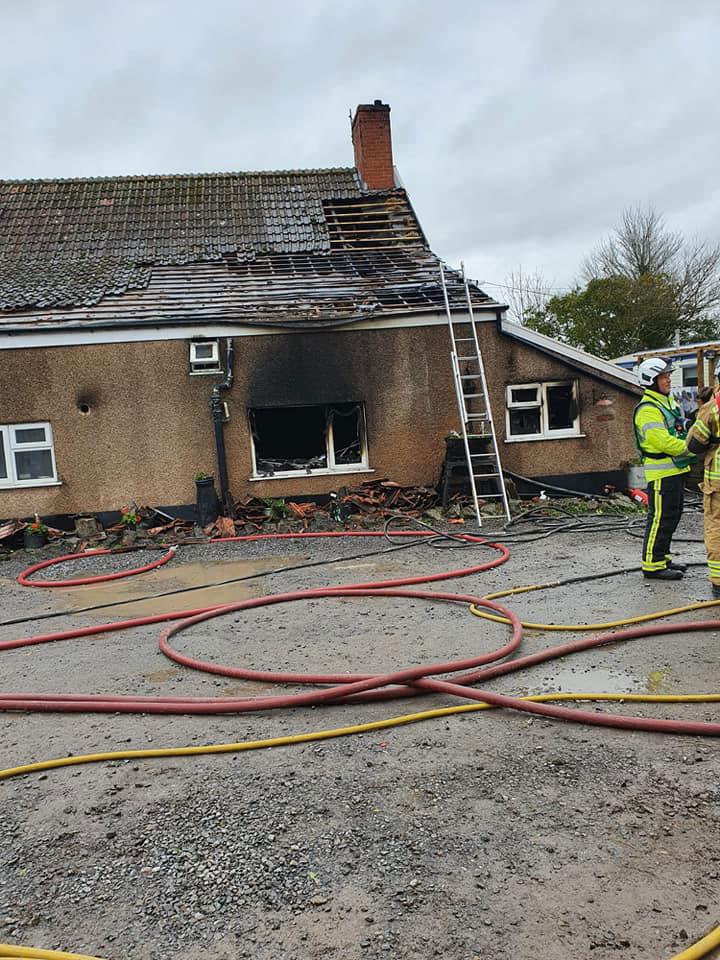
{"x":612,"y":316}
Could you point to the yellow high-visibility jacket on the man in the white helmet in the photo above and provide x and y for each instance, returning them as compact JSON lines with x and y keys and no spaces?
{"x":659,"y":437}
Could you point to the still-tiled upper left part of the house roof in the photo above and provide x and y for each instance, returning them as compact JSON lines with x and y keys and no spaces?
{"x":68,"y":242}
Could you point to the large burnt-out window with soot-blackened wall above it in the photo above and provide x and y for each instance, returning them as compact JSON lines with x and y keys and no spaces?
{"x":302,"y":440}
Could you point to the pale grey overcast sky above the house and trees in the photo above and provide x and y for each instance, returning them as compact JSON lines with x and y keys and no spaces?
{"x":521,"y":128}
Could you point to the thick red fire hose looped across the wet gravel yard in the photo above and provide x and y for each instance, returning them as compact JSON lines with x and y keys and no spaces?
{"x":346,"y":687}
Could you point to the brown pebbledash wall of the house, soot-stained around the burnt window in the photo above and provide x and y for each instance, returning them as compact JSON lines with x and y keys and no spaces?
{"x":148,"y":429}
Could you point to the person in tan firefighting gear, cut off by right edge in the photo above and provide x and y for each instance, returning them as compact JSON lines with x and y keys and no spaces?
{"x":704,"y":438}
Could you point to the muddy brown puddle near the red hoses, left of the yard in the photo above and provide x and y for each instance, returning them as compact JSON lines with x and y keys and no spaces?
{"x":176,"y":577}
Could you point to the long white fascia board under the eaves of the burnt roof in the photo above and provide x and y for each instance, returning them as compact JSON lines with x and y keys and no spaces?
{"x":21,"y":339}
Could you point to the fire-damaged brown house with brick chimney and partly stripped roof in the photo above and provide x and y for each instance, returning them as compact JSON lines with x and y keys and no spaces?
{"x":291,"y":323}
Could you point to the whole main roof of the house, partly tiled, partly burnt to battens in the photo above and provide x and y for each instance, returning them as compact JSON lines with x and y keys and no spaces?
{"x":285,"y":247}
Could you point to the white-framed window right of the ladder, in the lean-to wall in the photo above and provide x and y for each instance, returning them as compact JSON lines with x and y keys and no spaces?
{"x":542,"y":411}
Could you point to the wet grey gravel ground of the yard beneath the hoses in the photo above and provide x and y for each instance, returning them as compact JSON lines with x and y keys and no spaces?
{"x":484,"y":835}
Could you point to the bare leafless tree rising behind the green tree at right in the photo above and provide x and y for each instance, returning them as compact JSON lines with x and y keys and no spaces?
{"x":643,"y":245}
